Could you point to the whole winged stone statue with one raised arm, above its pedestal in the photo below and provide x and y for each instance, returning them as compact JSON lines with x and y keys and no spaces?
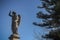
{"x":15,"y":22}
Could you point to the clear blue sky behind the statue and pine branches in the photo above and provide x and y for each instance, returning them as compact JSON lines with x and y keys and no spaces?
{"x":27,"y":9}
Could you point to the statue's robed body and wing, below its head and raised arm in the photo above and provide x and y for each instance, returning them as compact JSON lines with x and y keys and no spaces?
{"x":15,"y":23}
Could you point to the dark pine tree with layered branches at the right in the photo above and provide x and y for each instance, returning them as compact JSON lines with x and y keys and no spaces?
{"x":50,"y":20}
